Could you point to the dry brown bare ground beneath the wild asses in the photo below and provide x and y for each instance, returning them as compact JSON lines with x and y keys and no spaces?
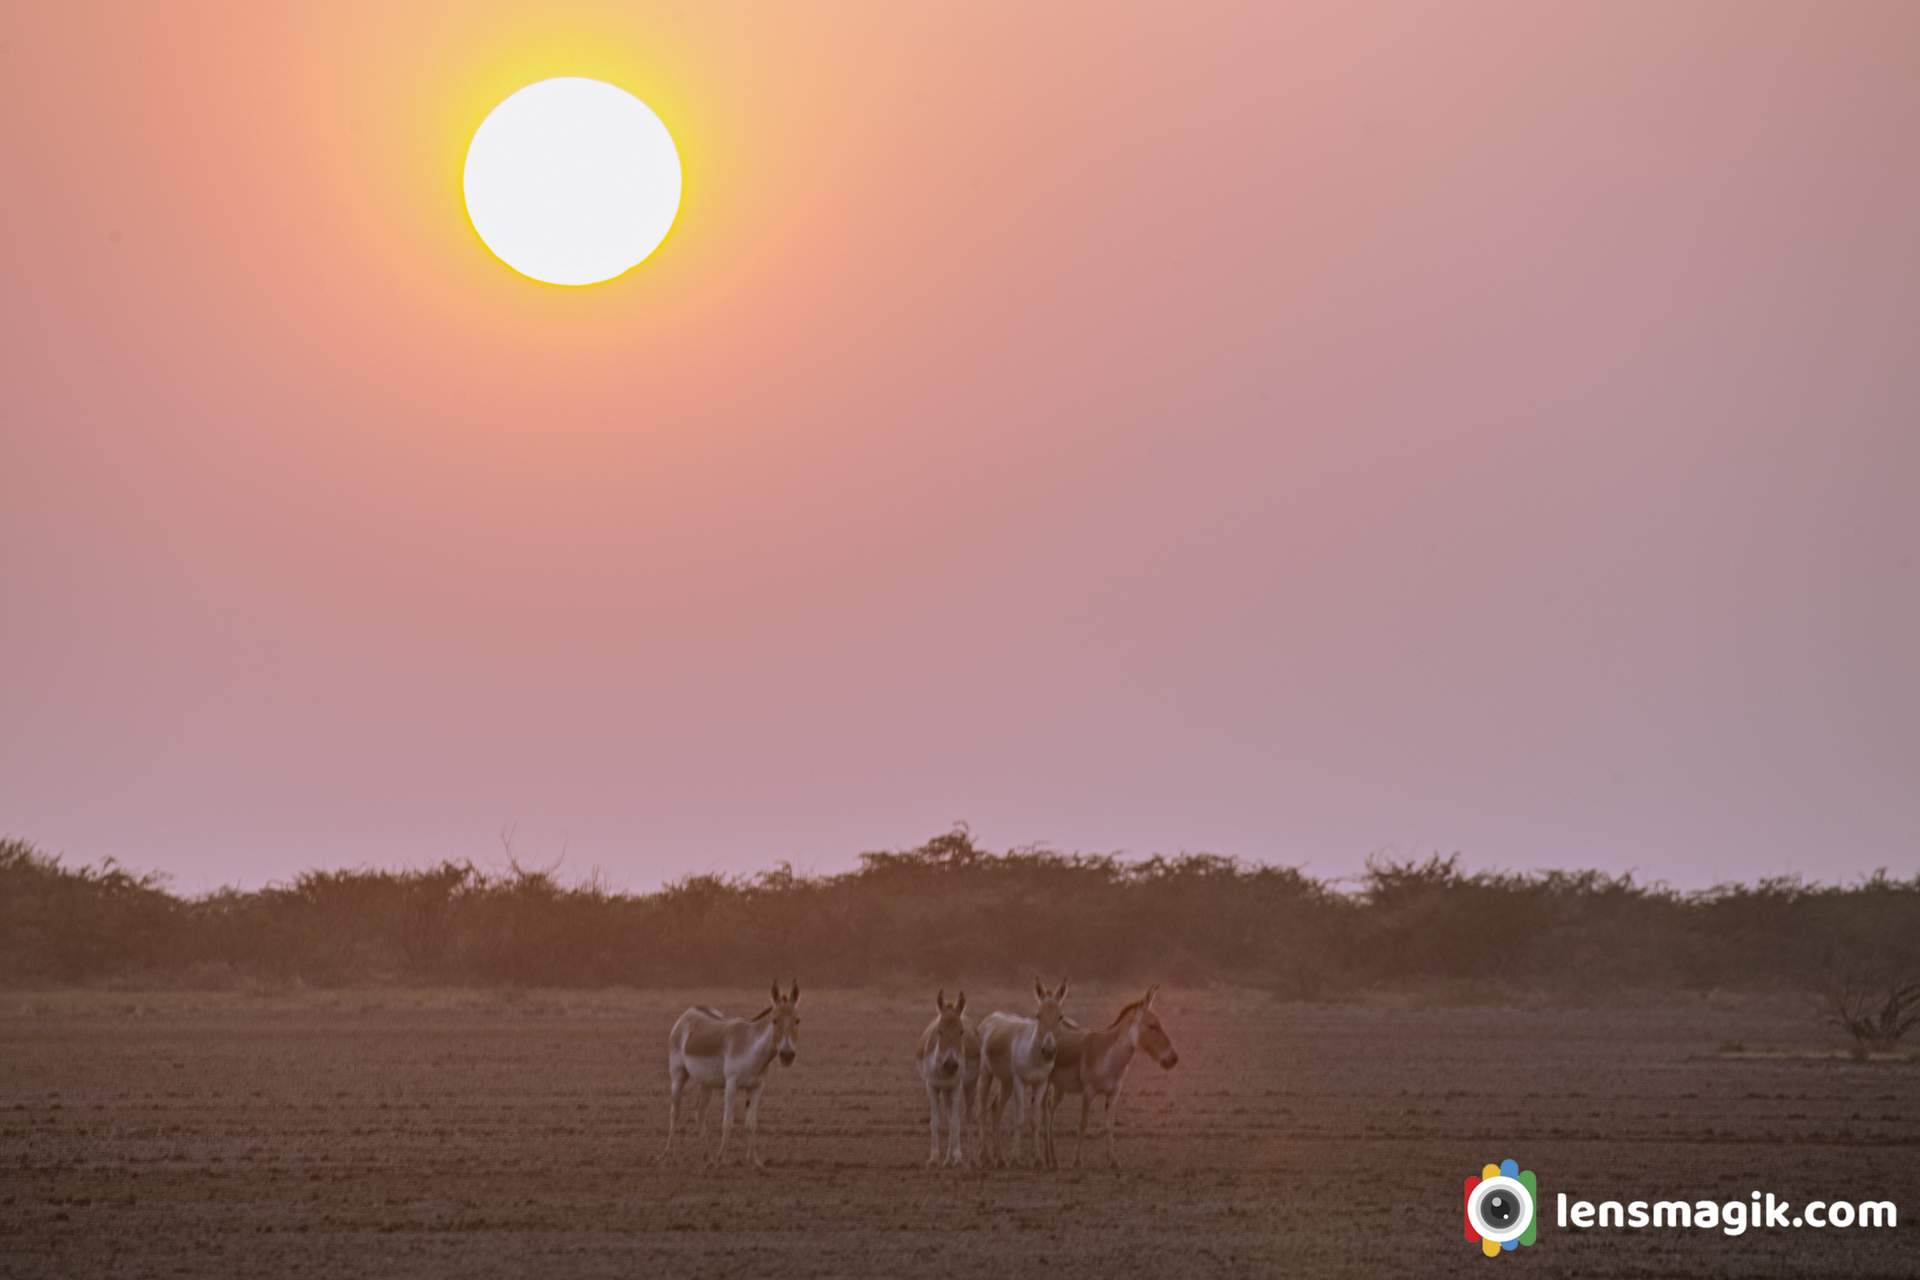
{"x":512,"y":1135}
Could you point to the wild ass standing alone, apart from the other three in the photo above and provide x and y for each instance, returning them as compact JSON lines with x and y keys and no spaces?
{"x":713,"y":1051}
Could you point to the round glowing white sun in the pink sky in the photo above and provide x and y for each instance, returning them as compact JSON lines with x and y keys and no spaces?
{"x":573,"y":181}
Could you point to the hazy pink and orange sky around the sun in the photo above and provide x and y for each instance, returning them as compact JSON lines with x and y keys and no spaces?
{"x":1289,"y":431}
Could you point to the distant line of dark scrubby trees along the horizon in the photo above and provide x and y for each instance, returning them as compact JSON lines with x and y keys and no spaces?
{"x":951,"y":911}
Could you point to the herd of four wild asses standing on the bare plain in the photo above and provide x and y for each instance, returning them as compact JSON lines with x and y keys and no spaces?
{"x":971,"y":1072}
